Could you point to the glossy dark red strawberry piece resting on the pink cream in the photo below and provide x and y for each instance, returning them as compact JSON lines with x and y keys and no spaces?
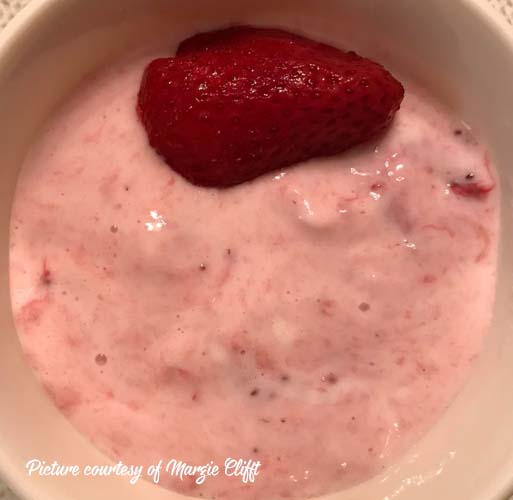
{"x":237,"y":103}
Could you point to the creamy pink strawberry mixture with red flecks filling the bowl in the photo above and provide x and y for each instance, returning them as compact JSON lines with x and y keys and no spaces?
{"x":318,"y":319}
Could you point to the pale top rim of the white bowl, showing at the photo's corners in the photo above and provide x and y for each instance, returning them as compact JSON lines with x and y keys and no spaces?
{"x":13,"y":33}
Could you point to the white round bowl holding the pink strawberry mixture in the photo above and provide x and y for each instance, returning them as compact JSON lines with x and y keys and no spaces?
{"x":459,"y":48}
